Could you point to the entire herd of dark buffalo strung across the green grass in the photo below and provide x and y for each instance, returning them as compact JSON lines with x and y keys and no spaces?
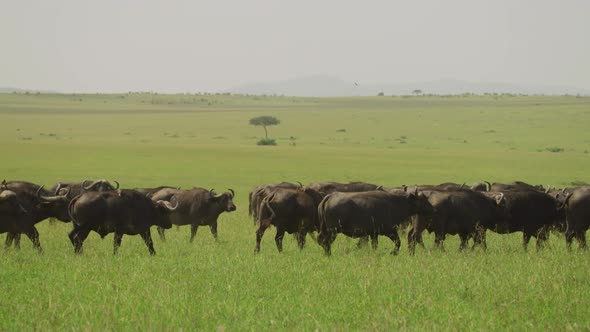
{"x":322,"y":210}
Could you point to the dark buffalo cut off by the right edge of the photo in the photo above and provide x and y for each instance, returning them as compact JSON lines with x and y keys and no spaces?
{"x":577,"y":210}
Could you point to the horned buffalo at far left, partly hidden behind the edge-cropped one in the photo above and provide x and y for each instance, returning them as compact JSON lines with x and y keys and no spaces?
{"x":40,"y":205}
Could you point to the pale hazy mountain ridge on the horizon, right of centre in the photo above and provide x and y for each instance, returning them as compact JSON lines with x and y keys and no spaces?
{"x":329,"y":86}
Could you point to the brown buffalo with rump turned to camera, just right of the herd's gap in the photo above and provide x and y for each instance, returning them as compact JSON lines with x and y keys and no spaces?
{"x":291,"y":211}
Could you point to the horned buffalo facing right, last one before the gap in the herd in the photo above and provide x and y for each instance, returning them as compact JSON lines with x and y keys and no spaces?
{"x":196,"y":207}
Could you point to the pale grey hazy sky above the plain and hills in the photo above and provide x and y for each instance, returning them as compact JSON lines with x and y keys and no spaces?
{"x":189,"y":46}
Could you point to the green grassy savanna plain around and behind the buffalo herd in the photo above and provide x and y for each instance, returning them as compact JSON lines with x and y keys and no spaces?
{"x":205,"y":140}
